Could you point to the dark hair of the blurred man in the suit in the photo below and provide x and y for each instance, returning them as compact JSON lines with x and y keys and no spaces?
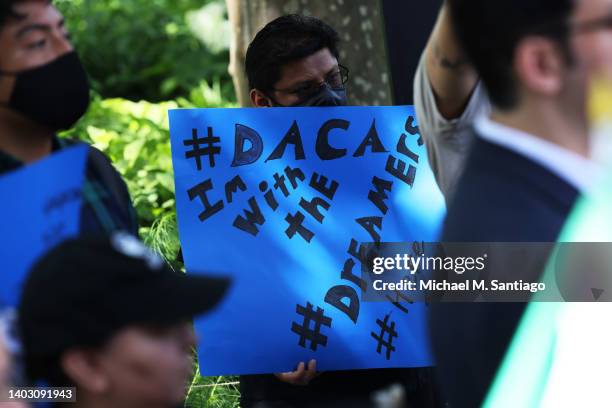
{"x":490,"y":30}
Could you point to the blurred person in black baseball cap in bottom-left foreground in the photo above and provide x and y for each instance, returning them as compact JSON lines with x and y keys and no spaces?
{"x":108,"y":317}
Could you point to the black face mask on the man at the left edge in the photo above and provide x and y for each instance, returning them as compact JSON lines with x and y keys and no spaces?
{"x":54,"y":95}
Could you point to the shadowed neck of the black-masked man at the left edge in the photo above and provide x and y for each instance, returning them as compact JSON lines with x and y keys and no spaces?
{"x":24,"y":140}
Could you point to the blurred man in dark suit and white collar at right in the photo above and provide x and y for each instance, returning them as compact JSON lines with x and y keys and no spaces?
{"x":529,"y":160}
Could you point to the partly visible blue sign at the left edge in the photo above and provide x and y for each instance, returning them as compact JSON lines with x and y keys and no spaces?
{"x":40,"y":207}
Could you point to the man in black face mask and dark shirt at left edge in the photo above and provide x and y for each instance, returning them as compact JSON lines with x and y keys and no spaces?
{"x":44,"y":89}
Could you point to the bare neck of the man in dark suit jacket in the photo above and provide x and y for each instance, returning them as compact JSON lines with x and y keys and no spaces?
{"x":548,"y":122}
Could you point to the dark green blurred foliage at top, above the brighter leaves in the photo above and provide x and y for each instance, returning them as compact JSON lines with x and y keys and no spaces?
{"x":144,"y":49}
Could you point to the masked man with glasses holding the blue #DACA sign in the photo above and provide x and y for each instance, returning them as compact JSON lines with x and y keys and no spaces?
{"x":291,"y":62}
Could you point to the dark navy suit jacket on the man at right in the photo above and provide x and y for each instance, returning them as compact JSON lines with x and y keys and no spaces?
{"x":501,"y":197}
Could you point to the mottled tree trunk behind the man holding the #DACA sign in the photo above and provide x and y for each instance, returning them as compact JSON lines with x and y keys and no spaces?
{"x":362,"y":49}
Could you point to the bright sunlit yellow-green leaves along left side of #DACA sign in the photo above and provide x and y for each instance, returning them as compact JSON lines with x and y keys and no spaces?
{"x":135,"y":136}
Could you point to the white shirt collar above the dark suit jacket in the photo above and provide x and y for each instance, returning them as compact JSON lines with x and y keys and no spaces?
{"x":569,"y":166}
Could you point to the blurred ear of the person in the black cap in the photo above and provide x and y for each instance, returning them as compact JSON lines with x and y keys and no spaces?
{"x":84,"y":369}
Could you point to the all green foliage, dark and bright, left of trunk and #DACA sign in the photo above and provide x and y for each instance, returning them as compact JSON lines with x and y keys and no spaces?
{"x":137,"y":50}
